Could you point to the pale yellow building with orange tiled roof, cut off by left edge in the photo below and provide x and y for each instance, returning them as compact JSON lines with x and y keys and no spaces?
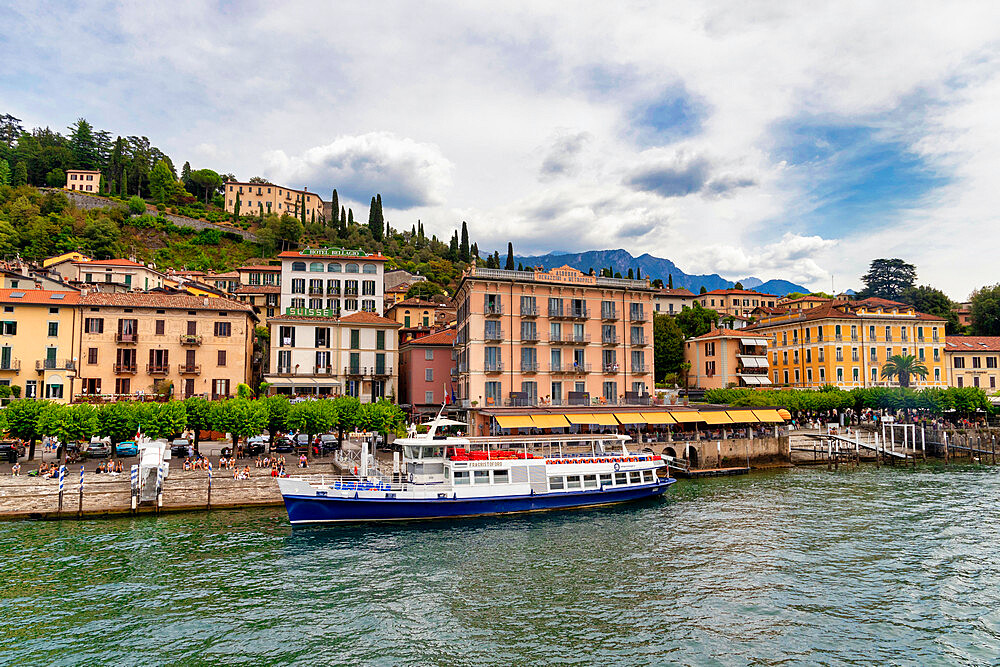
{"x":37,"y":332}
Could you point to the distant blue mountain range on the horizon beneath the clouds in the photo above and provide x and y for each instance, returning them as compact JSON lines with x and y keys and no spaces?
{"x":655,"y":267}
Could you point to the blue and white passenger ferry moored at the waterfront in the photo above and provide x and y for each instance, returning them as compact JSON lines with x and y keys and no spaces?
{"x":454,"y":477}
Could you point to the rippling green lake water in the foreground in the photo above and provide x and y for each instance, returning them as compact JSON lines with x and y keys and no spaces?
{"x":804,"y":566}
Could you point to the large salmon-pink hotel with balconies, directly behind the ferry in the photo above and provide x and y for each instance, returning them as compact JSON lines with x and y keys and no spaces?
{"x":558,"y":337}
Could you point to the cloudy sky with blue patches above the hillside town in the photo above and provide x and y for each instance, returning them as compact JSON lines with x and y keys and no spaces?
{"x":772,"y":139}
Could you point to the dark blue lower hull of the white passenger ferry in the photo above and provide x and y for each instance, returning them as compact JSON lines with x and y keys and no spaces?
{"x":314,"y":509}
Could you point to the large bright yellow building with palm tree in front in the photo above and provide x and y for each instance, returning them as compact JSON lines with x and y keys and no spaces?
{"x":846,"y":343}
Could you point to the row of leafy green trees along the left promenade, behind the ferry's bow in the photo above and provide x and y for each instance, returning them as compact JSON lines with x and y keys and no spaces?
{"x":32,"y":419}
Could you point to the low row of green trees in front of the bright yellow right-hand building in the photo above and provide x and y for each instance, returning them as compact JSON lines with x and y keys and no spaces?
{"x":933,"y":400}
